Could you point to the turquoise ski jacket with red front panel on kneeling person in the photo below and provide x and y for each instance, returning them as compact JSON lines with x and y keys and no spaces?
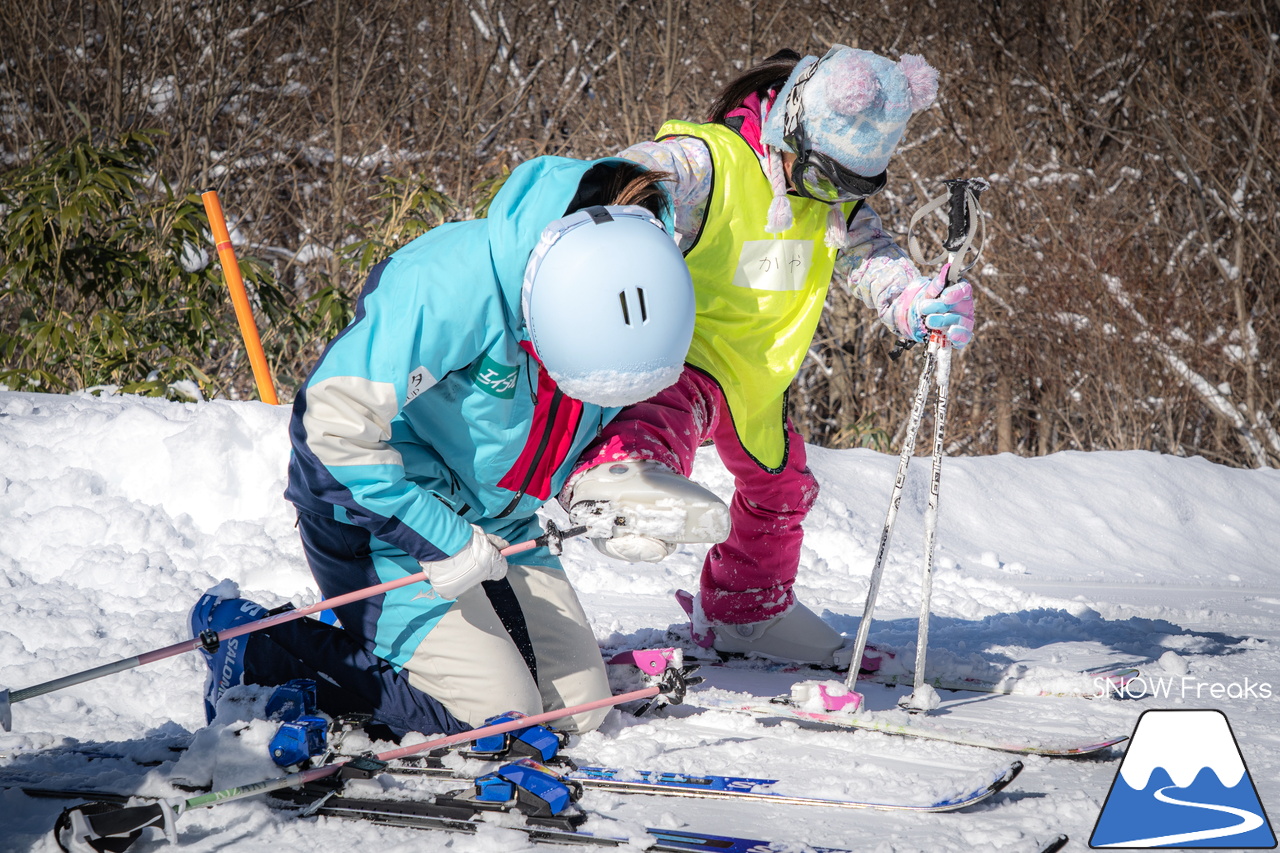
{"x":431,"y":412}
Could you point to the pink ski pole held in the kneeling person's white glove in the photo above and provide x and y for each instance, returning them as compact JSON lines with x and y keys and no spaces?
{"x":209,"y":641}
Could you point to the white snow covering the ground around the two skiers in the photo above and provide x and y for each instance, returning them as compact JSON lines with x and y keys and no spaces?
{"x":117,"y":513}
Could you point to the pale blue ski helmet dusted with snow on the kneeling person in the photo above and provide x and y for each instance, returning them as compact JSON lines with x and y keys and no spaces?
{"x":610,"y":305}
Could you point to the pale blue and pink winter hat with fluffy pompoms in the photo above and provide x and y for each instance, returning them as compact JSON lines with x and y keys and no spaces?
{"x":856,"y":106}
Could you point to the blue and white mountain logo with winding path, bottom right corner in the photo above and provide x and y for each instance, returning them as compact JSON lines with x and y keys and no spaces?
{"x":1183,"y":783}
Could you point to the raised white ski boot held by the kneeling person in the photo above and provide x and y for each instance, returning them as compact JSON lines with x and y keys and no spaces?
{"x":641,"y":510}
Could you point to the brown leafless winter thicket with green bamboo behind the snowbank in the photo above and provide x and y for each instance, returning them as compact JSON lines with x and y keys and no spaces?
{"x":1128,"y":289}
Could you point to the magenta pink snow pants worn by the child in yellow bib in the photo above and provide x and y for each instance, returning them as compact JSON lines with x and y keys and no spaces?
{"x":747,"y":578}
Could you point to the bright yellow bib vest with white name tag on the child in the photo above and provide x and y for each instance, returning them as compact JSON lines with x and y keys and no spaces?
{"x":760,"y":295}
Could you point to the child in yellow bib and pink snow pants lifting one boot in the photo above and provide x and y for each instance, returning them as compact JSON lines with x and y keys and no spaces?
{"x":771,"y":207}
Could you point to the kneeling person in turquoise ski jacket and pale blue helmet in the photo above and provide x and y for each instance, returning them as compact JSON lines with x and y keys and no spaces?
{"x":483,"y":359}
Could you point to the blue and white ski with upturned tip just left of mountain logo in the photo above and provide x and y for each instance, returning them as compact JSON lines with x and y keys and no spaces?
{"x":732,"y":788}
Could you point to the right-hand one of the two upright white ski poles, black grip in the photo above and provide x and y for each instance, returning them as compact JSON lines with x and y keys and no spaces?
{"x":962,"y":195}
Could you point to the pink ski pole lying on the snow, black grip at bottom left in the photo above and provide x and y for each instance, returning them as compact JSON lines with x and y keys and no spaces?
{"x":86,"y":824}
